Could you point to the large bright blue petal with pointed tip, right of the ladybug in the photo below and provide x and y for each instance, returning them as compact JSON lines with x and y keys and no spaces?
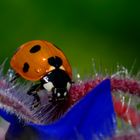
{"x":92,"y":117}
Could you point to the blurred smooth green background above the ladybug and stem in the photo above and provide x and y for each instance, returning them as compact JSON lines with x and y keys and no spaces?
{"x":108,"y":31}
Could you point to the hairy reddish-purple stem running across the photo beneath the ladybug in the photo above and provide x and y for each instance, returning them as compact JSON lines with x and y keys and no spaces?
{"x":13,"y":97}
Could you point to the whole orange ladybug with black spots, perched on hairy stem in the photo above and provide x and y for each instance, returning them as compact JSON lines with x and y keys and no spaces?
{"x":40,"y":60}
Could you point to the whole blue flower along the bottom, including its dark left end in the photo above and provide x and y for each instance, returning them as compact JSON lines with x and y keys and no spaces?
{"x":92,"y":117}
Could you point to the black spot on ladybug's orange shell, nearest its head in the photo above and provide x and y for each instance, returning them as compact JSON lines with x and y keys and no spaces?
{"x":55,"y":61}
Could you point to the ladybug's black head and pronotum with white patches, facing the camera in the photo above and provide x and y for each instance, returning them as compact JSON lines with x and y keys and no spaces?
{"x":58,"y":83}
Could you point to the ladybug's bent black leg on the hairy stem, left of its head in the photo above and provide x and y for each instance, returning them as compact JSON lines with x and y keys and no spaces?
{"x":33,"y":92}
